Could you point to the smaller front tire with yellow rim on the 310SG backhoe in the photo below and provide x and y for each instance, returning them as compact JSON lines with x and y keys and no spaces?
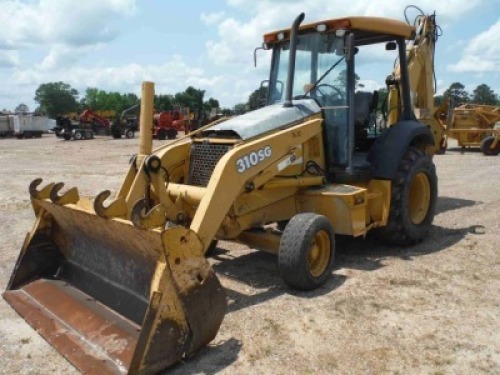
{"x":307,"y":251}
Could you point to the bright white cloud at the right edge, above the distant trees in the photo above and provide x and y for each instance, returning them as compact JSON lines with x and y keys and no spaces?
{"x":482,"y":53}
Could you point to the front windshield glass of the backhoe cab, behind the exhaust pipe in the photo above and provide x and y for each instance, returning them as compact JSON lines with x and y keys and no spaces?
{"x":320,"y":70}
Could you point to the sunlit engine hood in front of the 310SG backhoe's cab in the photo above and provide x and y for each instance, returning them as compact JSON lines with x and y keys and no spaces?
{"x":266,"y":119}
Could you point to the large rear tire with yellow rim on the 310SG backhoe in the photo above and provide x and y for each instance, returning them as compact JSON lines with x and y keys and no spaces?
{"x":413,"y":200}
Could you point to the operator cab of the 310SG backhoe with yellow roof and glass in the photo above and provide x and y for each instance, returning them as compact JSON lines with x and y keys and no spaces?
{"x":330,"y":59}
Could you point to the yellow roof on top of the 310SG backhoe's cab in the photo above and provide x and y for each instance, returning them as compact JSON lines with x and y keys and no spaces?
{"x":376,"y":26}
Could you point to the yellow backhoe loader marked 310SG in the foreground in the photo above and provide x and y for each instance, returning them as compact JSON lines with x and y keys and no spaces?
{"x":124,"y":287}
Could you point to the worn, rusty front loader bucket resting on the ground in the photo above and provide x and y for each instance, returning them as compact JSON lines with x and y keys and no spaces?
{"x":112,"y":298}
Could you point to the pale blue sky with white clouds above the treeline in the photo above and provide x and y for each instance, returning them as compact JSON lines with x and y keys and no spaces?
{"x":116,"y":44}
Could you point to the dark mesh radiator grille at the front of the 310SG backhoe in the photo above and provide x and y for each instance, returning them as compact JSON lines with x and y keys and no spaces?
{"x":204,"y":157}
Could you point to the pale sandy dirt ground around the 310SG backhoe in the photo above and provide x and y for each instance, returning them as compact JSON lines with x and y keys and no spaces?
{"x":428,"y":309}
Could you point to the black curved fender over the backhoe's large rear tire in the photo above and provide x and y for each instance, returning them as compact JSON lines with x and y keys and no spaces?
{"x":391,"y":146}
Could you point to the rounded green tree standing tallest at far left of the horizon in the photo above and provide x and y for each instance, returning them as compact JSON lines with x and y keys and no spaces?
{"x":56,"y":98}
